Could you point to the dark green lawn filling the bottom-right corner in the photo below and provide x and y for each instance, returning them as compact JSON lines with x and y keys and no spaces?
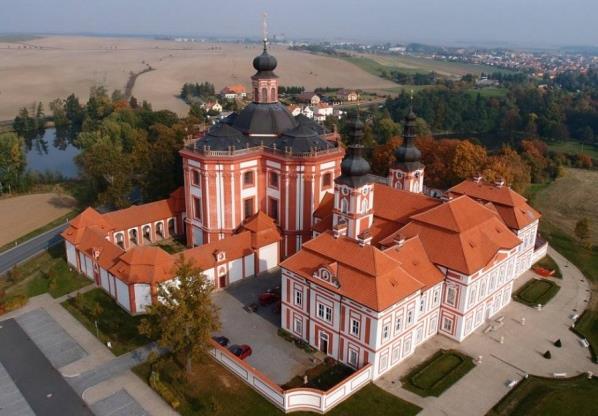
{"x":538,"y":396}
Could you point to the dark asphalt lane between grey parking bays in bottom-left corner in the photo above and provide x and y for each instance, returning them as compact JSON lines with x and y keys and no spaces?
{"x":41,"y":385}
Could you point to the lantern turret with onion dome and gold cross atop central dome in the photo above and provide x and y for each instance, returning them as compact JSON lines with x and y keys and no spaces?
{"x":265,"y":82}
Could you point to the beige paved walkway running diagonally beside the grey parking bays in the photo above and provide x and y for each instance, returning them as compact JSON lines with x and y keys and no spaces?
{"x":99,"y":374}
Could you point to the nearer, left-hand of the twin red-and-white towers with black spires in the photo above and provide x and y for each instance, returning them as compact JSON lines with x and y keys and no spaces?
{"x":354,"y":189}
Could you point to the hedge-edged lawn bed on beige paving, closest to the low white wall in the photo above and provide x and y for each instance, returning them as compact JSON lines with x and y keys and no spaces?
{"x":438,"y":373}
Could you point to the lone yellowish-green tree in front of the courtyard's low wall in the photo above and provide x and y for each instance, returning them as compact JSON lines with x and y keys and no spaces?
{"x":185,"y":317}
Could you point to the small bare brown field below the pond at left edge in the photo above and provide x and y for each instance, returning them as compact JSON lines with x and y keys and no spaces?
{"x":23,"y":214}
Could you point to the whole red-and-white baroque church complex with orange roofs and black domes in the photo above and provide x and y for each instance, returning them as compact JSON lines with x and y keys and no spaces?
{"x":371,"y":267}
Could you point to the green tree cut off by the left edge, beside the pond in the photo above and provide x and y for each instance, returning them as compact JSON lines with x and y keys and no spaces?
{"x":12,"y":160}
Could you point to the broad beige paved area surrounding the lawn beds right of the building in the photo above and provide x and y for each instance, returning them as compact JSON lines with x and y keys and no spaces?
{"x":521,"y":352}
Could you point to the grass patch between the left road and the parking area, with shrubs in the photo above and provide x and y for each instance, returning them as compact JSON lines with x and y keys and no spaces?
{"x":47,"y":272}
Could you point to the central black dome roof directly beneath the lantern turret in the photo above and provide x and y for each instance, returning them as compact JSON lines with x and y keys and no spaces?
{"x":264,"y":118}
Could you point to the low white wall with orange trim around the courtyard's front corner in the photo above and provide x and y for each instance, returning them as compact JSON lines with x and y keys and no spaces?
{"x":293,"y":400}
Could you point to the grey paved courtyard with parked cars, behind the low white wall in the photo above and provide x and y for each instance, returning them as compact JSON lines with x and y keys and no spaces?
{"x":272,"y":355}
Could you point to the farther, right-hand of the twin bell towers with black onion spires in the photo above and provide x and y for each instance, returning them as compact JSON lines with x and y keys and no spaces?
{"x":407,"y":172}
